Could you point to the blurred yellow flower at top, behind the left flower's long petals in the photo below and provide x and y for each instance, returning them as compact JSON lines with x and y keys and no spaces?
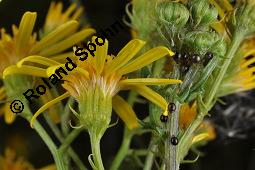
{"x":56,"y":17}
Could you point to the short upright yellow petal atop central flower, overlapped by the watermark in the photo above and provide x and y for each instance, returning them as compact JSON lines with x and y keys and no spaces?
{"x":101,"y":53}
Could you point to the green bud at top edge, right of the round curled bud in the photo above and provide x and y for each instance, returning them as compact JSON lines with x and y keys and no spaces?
{"x":202,"y":13}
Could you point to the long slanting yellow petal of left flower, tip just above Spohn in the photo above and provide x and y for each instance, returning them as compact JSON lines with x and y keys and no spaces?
{"x":68,"y":42}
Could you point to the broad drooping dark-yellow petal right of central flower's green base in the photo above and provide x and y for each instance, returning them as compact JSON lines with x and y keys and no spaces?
{"x":125,"y":112}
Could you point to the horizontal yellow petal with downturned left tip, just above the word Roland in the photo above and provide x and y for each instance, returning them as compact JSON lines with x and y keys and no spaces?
{"x":27,"y":70}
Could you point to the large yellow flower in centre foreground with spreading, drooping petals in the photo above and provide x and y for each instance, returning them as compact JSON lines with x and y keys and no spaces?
{"x":100,"y":78}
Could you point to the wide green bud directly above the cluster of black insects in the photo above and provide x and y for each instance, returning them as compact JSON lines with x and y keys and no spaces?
{"x":201,"y":42}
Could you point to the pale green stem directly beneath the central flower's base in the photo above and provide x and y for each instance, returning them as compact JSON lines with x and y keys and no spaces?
{"x":95,"y":147}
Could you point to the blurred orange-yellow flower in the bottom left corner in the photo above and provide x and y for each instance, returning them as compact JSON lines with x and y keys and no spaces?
{"x":11,"y":162}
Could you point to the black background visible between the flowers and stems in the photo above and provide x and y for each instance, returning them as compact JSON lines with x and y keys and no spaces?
{"x":224,"y":153}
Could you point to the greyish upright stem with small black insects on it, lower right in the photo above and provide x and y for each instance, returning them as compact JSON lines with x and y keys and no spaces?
{"x":172,"y":162}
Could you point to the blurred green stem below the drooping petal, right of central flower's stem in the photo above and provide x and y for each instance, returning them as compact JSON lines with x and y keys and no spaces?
{"x":123,"y":151}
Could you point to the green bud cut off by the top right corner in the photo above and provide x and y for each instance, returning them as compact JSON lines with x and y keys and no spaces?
{"x":243,"y":19}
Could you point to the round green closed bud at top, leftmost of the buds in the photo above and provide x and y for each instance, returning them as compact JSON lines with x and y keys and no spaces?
{"x":172,"y":14}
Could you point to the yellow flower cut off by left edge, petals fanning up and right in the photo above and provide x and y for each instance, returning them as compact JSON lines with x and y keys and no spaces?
{"x":23,"y":43}
